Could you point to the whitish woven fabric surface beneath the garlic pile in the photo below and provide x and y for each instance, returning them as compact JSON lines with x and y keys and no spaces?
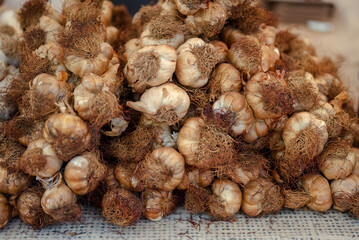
{"x":287,"y":224}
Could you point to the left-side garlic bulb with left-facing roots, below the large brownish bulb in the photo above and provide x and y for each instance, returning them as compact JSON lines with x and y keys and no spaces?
{"x":40,"y":159}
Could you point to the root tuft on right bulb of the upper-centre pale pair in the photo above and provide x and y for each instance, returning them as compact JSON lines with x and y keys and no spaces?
{"x":206,"y":59}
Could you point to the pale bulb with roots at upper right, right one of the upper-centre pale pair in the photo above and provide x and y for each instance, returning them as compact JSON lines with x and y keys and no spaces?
{"x":196,"y":60}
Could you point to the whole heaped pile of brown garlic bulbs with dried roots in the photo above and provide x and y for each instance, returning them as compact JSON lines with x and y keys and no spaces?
{"x":202,"y":99}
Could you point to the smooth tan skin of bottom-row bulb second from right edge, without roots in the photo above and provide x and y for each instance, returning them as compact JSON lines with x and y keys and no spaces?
{"x":318,"y":188}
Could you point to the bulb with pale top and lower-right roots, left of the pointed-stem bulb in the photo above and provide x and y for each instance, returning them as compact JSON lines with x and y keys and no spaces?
{"x":93,"y":101}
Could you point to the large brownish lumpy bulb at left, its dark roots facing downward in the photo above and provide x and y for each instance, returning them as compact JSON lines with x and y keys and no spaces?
{"x":68,"y":134}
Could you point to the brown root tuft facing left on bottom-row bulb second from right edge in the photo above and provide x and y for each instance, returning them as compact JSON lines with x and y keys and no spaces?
{"x":295,"y":199}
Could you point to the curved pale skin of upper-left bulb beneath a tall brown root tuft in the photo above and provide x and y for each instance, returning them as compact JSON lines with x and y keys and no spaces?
{"x":81,"y":66}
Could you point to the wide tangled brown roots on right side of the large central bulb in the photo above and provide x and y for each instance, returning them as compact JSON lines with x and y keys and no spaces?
{"x":216,"y":148}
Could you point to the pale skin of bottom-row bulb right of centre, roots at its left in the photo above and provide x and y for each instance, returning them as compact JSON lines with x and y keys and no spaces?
{"x":230,"y":198}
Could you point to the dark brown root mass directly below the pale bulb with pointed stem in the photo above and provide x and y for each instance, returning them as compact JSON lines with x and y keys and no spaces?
{"x":135,"y":145}
